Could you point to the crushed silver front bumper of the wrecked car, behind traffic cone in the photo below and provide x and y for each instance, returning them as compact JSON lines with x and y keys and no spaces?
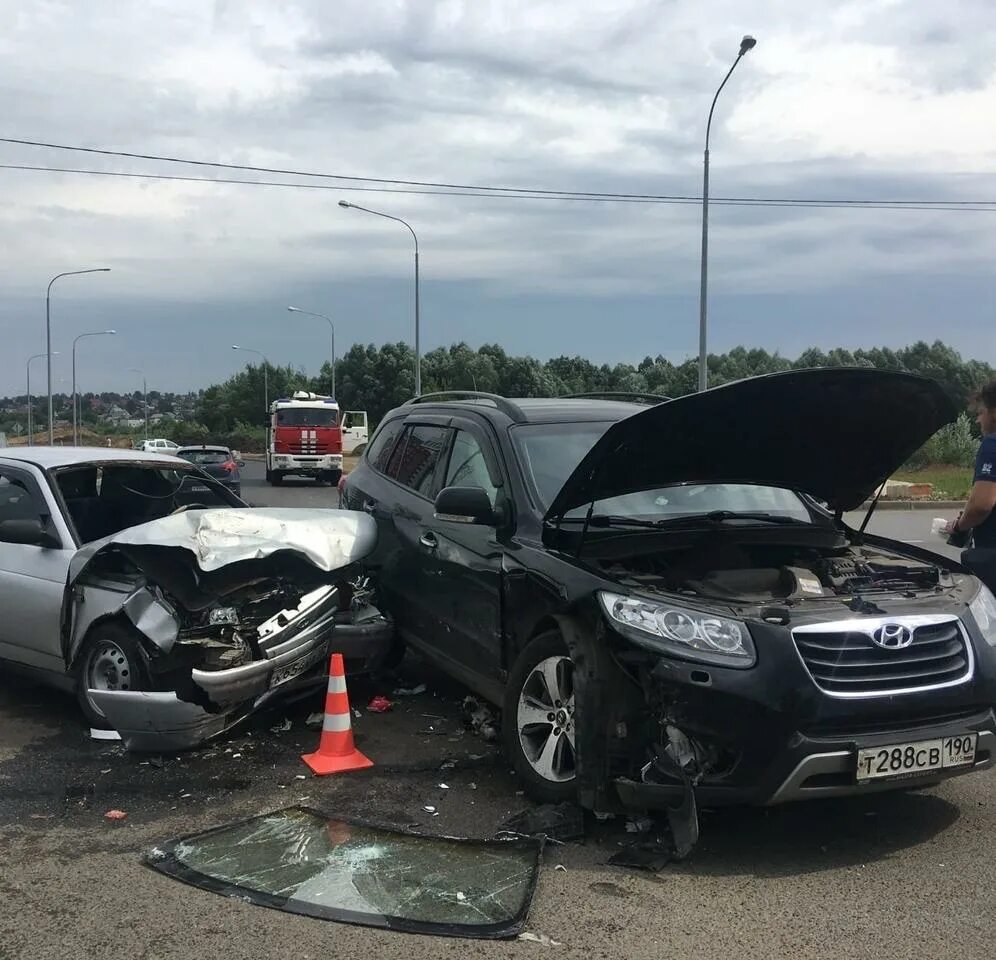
{"x":296,"y":653}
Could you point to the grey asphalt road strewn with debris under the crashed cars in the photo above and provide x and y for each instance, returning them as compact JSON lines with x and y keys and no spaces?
{"x":901,"y":875}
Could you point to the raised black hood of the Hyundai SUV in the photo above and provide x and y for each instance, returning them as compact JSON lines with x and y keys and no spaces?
{"x":836,"y":434}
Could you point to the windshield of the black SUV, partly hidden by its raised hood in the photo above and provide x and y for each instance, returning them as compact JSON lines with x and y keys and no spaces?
{"x":549,"y":453}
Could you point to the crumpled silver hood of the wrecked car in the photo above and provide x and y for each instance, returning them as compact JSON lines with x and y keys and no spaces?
{"x":213,"y":539}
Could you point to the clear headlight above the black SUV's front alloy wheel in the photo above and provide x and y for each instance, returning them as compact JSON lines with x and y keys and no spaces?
{"x":666,"y":628}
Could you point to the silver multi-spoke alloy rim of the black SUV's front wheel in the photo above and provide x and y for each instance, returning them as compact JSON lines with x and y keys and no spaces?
{"x":546,"y":721}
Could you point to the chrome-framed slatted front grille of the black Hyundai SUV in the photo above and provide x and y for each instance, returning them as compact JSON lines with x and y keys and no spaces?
{"x":844,"y":660}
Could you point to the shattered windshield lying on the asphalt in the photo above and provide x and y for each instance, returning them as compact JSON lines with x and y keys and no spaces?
{"x":303,"y":862}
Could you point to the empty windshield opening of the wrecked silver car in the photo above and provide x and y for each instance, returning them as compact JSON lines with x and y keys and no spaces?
{"x":103,"y":499}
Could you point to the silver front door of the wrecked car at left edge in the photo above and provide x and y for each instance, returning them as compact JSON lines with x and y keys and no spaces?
{"x":32,"y":578}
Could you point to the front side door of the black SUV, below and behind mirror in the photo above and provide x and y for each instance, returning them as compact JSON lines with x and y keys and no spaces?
{"x":466,"y":560}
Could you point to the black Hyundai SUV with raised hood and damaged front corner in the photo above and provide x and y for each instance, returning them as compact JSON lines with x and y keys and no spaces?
{"x":664,"y":598}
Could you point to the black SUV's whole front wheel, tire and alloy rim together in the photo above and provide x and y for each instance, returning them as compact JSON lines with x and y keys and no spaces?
{"x":541,"y":749}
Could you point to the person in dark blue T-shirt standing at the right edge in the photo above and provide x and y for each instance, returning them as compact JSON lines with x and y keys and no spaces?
{"x":976,"y":526}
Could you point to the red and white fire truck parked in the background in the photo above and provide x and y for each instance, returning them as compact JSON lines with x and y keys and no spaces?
{"x":304,"y":438}
